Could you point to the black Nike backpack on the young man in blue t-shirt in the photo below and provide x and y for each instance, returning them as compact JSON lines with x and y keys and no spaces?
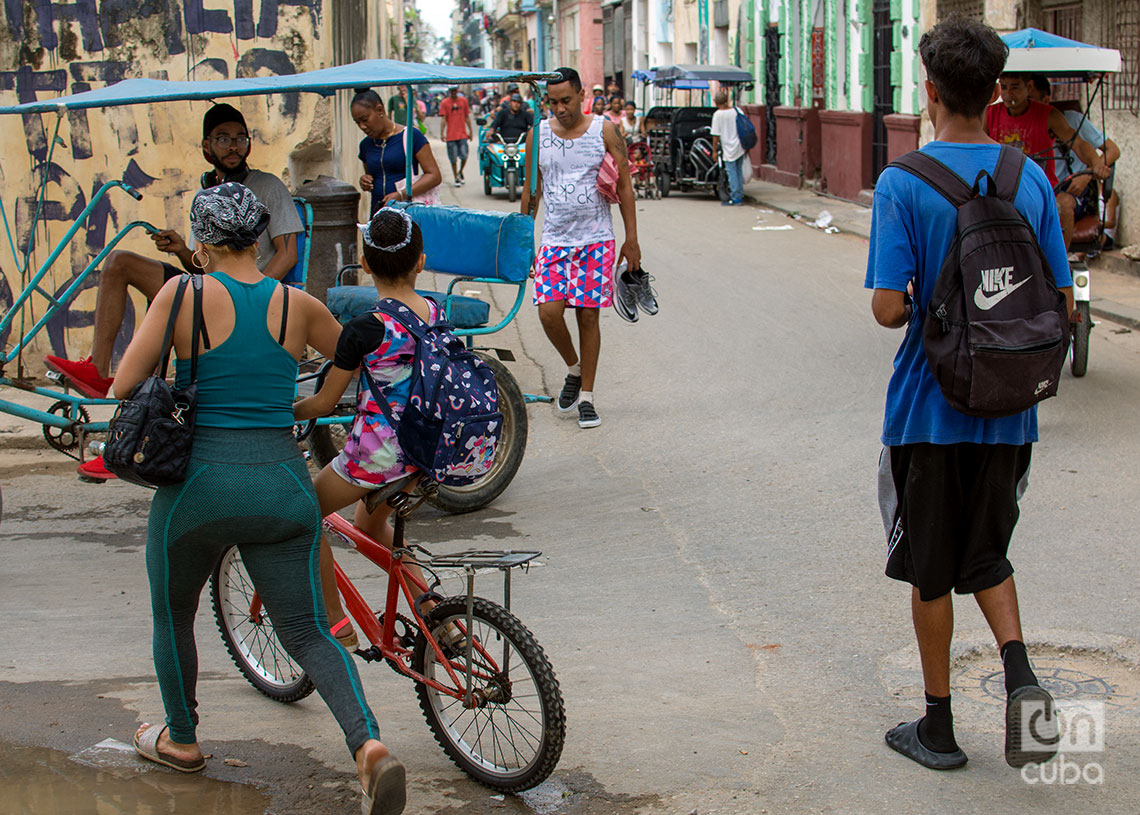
{"x":997,"y":330}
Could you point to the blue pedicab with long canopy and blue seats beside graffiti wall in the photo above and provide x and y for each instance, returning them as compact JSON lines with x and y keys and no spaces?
{"x":502,"y":262}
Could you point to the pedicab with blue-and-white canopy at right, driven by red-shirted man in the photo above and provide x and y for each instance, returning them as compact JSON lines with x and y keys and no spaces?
{"x":1081,"y":70}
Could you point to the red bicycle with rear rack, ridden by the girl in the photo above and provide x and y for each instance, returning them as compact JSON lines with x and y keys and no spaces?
{"x":485,"y":684}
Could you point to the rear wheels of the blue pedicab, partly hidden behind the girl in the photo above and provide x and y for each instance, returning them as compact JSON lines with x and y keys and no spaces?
{"x":327,"y":442}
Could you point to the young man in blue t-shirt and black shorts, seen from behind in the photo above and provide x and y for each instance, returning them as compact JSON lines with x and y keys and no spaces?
{"x":950,"y":483}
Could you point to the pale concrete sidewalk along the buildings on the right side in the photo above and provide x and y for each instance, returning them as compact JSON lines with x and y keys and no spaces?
{"x":1115,"y":279}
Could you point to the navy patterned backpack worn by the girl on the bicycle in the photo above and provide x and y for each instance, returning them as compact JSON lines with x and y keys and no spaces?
{"x":452,"y":425}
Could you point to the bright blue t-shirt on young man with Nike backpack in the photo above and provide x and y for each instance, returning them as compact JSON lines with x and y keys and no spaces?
{"x":913,"y":229}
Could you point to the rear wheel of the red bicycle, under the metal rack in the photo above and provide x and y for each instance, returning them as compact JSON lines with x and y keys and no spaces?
{"x":511,"y":739}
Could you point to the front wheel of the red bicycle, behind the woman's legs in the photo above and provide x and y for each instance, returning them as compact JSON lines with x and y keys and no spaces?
{"x":249,"y":634}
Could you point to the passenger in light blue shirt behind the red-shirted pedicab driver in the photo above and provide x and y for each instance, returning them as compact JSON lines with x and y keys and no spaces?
{"x":1077,"y":195}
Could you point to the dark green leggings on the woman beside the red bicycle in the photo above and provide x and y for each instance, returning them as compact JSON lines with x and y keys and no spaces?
{"x":251,"y":488}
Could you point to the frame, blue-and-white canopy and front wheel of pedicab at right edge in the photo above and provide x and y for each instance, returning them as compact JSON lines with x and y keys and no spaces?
{"x":1037,"y":52}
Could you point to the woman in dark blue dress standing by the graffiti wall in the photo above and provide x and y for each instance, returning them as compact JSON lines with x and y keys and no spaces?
{"x":384,"y":153}
